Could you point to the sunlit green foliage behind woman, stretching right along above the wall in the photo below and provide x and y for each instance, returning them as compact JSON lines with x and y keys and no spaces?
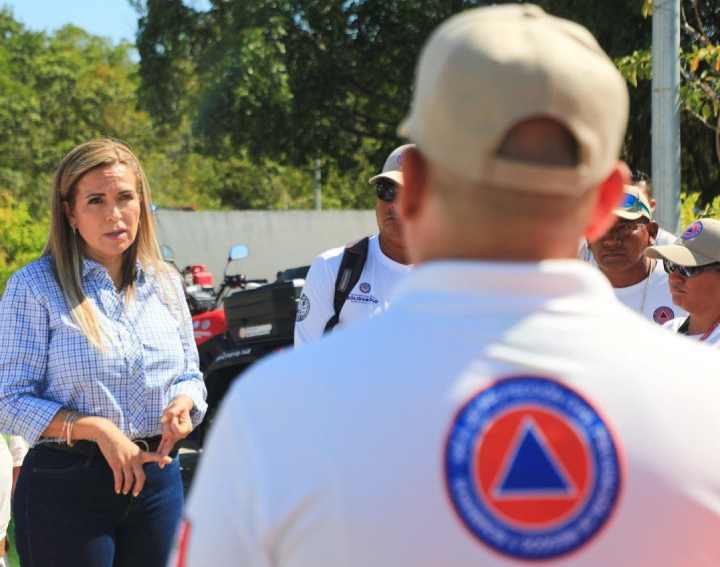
{"x":58,"y":90}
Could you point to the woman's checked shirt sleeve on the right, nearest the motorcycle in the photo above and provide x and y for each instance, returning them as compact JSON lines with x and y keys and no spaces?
{"x":190,"y":382}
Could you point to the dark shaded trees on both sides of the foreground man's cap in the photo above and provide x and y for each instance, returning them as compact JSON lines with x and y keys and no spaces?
{"x":293,"y":80}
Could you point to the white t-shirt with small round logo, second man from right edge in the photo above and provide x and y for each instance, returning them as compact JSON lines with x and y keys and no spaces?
{"x":651,"y":297}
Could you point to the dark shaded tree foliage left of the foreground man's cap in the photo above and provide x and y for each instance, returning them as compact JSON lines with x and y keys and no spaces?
{"x":290,"y":80}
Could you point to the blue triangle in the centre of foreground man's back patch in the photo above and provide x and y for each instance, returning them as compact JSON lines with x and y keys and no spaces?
{"x":531,"y":469}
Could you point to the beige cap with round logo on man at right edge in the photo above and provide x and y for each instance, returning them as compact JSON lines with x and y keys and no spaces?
{"x":697,"y":246}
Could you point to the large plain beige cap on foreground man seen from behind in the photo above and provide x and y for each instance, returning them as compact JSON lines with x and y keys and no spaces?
{"x":487,"y":69}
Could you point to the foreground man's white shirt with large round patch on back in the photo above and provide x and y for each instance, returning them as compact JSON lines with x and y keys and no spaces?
{"x":497,"y":413}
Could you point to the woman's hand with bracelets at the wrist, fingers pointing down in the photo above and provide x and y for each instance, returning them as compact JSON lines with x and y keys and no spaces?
{"x":126,"y":459}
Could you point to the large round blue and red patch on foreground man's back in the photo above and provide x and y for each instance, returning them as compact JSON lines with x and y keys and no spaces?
{"x":531,"y":469}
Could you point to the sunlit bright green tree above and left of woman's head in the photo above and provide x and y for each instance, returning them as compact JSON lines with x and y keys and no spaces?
{"x":57,"y":91}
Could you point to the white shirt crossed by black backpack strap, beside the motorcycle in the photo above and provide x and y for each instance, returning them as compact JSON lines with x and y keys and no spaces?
{"x":370,"y":295}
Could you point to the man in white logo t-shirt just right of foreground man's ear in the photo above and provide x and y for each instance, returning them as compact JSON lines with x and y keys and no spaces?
{"x":639,"y":282}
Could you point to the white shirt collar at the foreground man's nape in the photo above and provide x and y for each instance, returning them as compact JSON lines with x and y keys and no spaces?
{"x":517,"y":282}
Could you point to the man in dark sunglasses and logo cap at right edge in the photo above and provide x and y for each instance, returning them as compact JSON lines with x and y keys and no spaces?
{"x":693,"y":265}
